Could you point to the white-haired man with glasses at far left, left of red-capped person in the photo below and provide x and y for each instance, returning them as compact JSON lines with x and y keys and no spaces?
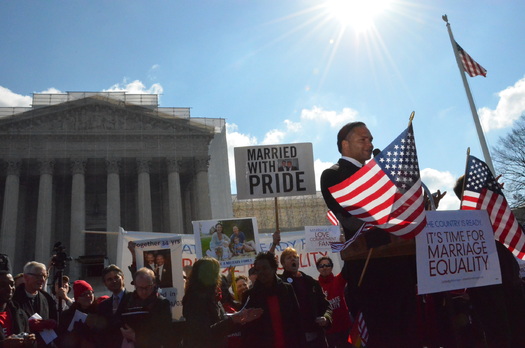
{"x":31,"y":297}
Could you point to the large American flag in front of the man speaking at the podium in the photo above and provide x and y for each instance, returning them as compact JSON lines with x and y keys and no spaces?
{"x":387,"y":192}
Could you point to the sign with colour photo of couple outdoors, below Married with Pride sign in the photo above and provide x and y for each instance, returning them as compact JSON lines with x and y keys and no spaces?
{"x":231,"y":241}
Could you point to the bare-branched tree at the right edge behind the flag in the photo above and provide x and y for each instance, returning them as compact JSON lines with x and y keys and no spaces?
{"x":509,"y":157}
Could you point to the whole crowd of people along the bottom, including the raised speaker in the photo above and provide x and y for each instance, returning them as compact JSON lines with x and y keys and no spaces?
{"x":267,"y":309}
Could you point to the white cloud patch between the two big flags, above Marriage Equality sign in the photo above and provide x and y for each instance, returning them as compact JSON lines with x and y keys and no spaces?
{"x":443,"y":181}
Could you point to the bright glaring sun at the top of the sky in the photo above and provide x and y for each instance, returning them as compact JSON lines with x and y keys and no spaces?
{"x":358,"y":14}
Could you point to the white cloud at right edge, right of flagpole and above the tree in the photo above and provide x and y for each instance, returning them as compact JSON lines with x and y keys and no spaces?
{"x":510,"y":107}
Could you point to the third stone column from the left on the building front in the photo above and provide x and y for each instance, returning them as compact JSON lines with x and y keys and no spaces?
{"x":78,"y":214}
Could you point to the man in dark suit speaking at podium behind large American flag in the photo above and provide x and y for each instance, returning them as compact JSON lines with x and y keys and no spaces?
{"x":388,"y":287}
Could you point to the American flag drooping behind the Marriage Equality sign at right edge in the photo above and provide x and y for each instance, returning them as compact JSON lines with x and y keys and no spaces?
{"x":483,"y":192}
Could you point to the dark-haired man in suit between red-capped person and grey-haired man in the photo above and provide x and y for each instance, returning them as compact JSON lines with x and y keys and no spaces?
{"x":111,"y":308}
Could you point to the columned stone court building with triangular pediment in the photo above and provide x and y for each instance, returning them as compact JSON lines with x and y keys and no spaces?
{"x":79,"y":161}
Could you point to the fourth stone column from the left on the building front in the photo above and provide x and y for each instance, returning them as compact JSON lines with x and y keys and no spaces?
{"x":113,"y":208}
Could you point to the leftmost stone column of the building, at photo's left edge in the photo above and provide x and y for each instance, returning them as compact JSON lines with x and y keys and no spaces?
{"x":10,"y":213}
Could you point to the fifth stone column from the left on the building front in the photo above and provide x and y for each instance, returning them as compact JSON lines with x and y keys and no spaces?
{"x":144,"y":195}
